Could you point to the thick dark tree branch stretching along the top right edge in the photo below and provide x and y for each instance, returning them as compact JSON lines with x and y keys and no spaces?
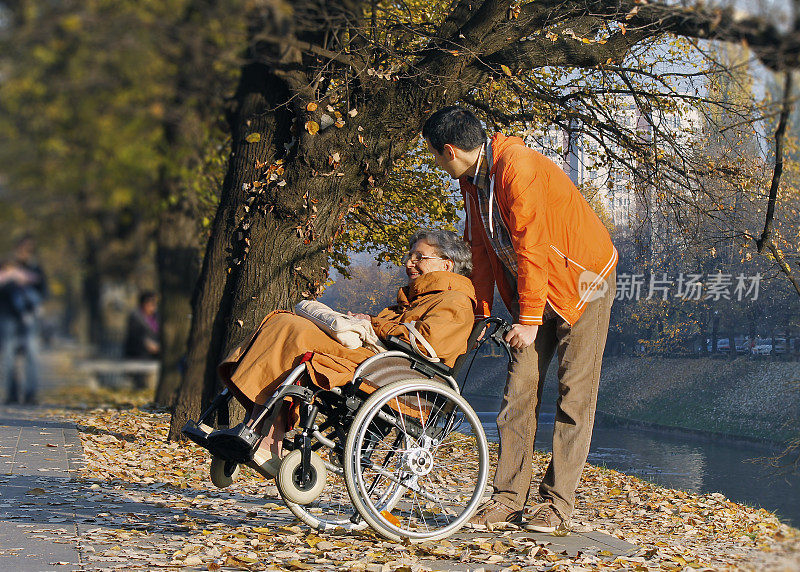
{"x":639,"y":21}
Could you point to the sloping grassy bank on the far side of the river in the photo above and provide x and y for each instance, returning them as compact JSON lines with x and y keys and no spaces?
{"x":756,"y":401}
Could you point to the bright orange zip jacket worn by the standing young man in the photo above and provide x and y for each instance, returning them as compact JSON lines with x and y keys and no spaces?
{"x":563,"y":249}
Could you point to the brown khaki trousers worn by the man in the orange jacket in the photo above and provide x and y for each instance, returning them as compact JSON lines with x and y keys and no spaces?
{"x":580,"y":355}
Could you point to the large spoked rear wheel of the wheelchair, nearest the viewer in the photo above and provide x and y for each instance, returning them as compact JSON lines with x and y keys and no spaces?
{"x":422,"y":439}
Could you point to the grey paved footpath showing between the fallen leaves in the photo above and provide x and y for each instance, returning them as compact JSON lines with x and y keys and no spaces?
{"x":50,"y":520}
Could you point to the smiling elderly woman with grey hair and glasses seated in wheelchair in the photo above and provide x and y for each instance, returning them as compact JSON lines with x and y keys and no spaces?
{"x":438,"y":300}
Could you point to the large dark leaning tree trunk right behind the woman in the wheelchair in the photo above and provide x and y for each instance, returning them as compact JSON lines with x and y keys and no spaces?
{"x":287,"y":208}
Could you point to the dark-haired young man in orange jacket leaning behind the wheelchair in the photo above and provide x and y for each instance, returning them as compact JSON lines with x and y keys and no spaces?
{"x":537,"y":239}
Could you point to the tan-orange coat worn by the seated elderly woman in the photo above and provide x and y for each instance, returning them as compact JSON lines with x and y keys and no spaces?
{"x":440,"y":304}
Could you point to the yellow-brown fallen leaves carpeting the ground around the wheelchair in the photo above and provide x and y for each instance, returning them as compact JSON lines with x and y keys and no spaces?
{"x":160,"y":511}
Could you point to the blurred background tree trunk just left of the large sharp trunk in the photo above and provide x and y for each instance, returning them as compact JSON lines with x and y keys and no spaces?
{"x":189,"y":126}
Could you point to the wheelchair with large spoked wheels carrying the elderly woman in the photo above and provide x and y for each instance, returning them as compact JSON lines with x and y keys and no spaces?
{"x":397,"y":449}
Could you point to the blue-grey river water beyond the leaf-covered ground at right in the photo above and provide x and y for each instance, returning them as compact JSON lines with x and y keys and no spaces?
{"x":682,"y":461}
